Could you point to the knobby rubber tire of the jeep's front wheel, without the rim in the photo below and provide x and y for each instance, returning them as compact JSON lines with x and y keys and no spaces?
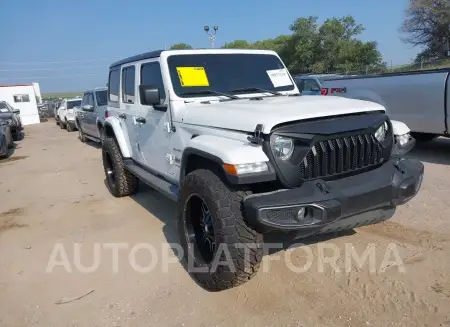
{"x":225,"y":207}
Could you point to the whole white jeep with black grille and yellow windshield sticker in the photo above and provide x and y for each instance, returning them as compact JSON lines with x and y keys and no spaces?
{"x":227,"y":135}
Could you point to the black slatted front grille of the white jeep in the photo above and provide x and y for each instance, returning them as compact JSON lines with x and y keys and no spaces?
{"x":341,"y":155}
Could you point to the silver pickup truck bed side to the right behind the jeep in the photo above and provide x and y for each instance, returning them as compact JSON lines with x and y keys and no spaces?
{"x":421,"y":99}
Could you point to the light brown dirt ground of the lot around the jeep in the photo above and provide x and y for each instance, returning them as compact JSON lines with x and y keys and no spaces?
{"x":52,"y":192}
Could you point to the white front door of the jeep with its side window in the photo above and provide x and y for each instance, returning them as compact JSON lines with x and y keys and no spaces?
{"x":153,"y":126}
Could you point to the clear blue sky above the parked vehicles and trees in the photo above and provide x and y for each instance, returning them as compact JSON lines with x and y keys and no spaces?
{"x":68,"y":45}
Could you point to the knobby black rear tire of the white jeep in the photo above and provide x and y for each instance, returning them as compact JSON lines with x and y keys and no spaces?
{"x":125,"y":183}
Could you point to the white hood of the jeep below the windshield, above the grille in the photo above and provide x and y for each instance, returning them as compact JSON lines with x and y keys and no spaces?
{"x":245,"y":114}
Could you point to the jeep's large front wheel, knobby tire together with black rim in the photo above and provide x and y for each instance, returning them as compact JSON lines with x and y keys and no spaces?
{"x":206,"y":201}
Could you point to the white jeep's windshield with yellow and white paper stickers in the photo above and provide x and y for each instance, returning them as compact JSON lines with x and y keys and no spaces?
{"x":196,"y":75}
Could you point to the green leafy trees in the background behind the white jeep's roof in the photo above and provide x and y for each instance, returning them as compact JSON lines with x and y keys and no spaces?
{"x":330,"y":47}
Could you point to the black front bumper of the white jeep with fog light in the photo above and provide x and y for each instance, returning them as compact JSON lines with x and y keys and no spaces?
{"x":368,"y":197}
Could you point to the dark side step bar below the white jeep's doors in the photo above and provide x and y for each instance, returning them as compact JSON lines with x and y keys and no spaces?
{"x":168,"y":189}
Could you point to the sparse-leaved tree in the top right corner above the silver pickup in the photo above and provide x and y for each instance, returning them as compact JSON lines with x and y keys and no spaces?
{"x":427,"y":24}
